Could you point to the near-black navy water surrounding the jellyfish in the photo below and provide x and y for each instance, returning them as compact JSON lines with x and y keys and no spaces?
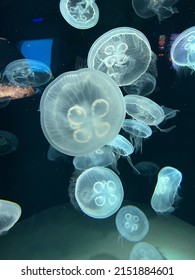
{"x":27,"y":176}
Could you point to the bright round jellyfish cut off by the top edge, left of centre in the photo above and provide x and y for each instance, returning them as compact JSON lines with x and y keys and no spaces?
{"x":81,"y":14}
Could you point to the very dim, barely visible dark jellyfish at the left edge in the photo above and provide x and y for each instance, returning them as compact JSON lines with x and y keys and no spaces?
{"x":8,"y":142}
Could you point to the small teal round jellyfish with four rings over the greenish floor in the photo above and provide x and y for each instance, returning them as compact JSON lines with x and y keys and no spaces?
{"x":131,"y":223}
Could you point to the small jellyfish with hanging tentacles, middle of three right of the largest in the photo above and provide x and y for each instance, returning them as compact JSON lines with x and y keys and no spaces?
{"x":137,"y":132}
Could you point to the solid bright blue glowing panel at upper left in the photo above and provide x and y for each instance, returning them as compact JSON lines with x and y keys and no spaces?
{"x":37,"y":49}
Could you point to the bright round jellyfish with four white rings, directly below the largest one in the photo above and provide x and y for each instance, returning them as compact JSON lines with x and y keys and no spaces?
{"x":99,"y":192}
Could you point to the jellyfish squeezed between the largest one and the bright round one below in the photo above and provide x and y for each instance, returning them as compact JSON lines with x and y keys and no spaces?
{"x":100,"y":157}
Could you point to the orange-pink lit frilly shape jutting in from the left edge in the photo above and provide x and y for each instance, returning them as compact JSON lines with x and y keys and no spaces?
{"x":9,"y":92}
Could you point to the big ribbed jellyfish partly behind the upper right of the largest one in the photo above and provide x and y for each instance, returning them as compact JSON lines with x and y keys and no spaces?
{"x":122,"y":53}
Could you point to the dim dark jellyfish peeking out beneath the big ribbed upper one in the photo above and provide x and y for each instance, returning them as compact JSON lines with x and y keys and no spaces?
{"x":144,"y":86}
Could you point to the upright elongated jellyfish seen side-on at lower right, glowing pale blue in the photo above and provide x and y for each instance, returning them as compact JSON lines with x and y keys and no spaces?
{"x":165,"y":193}
